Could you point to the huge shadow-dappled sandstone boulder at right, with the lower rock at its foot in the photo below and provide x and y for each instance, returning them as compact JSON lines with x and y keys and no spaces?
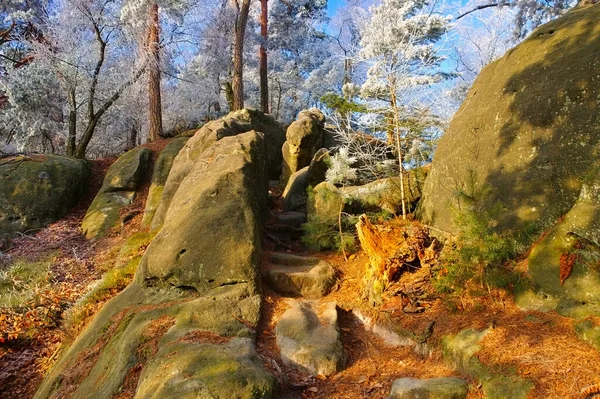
{"x":528,"y":135}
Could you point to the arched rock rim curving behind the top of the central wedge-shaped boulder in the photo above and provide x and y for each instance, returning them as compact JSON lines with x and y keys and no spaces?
{"x":233,"y":124}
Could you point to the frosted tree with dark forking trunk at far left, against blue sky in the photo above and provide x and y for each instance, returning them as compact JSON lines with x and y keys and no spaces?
{"x":84,"y":52}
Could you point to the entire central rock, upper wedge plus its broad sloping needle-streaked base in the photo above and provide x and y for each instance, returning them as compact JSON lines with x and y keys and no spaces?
{"x":185,"y":327}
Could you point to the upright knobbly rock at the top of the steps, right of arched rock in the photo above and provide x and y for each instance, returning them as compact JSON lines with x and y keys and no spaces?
{"x":304,"y":138}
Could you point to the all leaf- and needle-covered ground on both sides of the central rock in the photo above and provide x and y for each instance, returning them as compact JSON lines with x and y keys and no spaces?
{"x":540,"y":347}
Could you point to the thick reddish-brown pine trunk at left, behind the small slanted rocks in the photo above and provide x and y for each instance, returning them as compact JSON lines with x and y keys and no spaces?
{"x":154,"y":101}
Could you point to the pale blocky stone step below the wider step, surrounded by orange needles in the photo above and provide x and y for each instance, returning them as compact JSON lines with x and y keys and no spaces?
{"x":308,"y":337}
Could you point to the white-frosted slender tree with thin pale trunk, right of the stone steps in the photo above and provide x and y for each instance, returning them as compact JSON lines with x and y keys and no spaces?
{"x":399,"y":43}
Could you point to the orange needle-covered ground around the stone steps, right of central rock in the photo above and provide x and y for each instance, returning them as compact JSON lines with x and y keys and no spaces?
{"x":540,"y":347}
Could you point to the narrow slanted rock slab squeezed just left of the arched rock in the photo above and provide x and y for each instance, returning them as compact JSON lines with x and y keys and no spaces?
{"x":162,"y":167}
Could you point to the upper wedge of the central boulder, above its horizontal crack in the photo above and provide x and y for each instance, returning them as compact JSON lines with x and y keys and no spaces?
{"x":195,"y":247}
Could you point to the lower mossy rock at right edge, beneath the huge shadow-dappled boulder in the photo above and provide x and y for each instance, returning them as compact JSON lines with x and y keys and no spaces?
{"x":576,"y":235}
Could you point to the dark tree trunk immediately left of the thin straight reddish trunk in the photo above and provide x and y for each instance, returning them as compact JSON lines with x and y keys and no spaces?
{"x":238,"y":53}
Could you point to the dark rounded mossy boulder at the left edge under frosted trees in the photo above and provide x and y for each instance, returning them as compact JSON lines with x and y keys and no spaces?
{"x":38,"y":190}
